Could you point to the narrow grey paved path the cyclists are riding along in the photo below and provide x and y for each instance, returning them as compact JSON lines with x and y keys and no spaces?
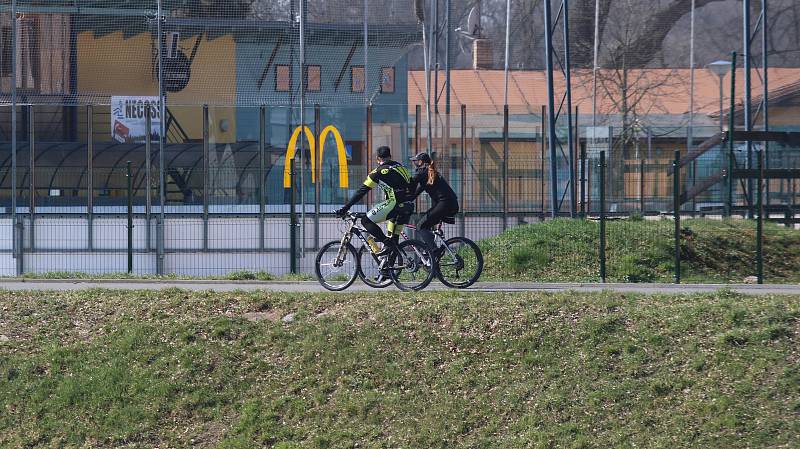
{"x":315,"y":287}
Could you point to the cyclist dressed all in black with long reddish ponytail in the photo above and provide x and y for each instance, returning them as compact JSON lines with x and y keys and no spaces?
{"x":443,"y":198}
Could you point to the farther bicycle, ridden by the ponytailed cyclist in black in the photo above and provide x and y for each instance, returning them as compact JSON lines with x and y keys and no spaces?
{"x":458,"y":262}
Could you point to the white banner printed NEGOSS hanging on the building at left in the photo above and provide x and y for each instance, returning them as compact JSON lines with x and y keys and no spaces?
{"x":128,"y":119}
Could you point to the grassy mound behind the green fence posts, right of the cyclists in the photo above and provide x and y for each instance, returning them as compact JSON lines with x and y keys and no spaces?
{"x":641,"y":251}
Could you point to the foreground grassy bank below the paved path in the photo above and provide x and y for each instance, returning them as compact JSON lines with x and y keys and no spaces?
{"x":171,"y":368}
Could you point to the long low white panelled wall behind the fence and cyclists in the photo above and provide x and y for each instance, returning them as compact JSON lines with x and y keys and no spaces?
{"x":61,"y":244}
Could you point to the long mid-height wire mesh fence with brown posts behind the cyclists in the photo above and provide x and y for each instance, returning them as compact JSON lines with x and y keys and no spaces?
{"x":229,"y":206}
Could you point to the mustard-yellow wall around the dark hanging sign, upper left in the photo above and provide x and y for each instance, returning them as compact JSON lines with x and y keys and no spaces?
{"x":113,"y":65}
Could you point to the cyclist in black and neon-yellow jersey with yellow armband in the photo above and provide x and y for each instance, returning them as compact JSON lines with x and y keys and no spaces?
{"x":394,"y":180}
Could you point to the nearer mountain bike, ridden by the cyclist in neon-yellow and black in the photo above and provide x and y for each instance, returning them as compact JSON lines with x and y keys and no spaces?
{"x":337,"y":264}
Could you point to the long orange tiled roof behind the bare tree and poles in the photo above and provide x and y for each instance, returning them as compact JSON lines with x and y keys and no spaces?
{"x":666,"y":92}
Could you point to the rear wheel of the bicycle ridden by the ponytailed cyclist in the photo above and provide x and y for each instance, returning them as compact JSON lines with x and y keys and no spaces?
{"x":461,"y":263}
